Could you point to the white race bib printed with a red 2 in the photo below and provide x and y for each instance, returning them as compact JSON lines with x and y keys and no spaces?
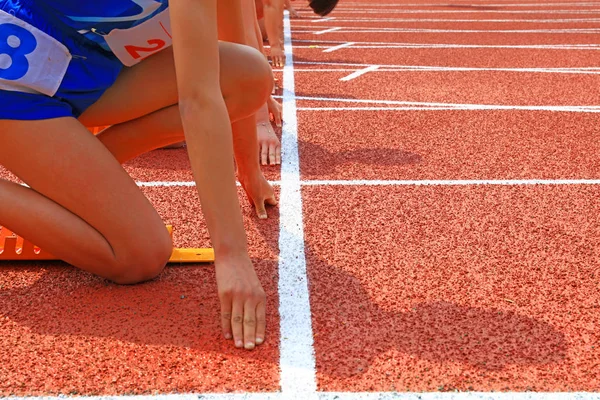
{"x":134,"y":44}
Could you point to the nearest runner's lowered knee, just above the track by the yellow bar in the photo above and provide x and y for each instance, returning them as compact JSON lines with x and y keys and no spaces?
{"x":144,"y":259}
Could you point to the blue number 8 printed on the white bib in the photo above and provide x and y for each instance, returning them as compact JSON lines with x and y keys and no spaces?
{"x":16,"y":43}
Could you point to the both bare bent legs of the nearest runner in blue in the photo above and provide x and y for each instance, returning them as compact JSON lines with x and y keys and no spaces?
{"x":82,"y":206}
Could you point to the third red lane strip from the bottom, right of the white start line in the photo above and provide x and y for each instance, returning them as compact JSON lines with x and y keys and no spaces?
{"x":473,"y":87}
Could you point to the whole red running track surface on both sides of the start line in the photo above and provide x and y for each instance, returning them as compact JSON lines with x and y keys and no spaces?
{"x":475,"y":288}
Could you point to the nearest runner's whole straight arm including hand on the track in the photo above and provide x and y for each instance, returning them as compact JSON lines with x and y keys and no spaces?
{"x":209,"y":140}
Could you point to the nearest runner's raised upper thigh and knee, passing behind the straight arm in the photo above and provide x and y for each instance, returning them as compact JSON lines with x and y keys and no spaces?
{"x":151,"y":85}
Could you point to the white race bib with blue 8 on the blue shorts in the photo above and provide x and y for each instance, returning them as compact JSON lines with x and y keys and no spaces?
{"x":30,"y":60}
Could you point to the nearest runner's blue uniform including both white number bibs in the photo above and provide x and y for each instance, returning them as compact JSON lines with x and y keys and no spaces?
{"x":57,"y":57}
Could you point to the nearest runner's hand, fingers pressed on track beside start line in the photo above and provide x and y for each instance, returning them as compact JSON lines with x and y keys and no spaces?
{"x":243,"y":301}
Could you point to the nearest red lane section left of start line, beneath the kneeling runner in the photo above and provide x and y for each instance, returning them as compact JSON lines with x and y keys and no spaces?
{"x":66,"y":331}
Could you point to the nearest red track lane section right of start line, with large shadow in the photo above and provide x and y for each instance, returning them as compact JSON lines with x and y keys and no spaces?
{"x":477,"y":288}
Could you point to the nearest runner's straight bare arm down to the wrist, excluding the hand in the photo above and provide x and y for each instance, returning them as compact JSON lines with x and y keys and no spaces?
{"x":206,"y":121}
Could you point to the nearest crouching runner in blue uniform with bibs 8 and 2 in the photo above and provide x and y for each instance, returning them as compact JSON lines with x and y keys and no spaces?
{"x":154,"y":71}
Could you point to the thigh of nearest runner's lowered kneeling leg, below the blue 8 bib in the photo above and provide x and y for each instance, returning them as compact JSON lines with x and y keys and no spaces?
{"x":64,"y":162}
